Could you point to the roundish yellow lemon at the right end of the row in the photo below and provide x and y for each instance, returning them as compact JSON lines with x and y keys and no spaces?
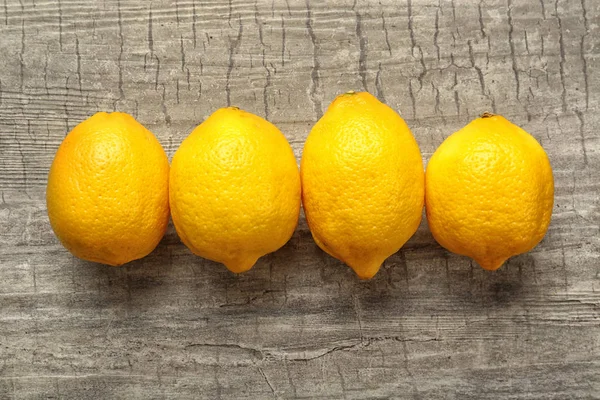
{"x":489,"y":191}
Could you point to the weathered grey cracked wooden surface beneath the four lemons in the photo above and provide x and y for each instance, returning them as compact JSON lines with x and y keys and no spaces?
{"x":430,"y":325}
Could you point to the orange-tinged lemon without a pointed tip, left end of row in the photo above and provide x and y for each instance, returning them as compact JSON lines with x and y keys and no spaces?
{"x":107,"y":191}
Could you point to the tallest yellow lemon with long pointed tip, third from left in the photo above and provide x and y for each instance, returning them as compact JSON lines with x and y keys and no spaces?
{"x":362,"y":182}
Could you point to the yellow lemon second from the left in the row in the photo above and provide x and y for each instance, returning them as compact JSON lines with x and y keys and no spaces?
{"x":235,"y":189}
